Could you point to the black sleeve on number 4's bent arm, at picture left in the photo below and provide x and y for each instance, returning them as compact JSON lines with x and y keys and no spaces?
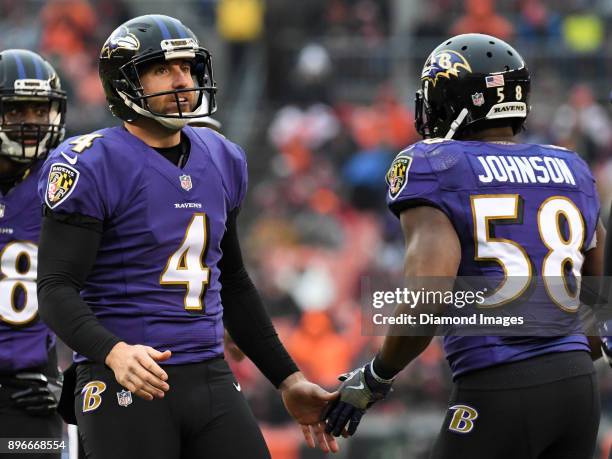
{"x":67,"y":251}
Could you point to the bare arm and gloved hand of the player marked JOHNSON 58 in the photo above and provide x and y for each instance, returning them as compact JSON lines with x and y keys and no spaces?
{"x":432,"y":257}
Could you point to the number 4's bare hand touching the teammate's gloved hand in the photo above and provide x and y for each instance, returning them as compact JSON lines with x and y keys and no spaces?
{"x":305,"y":401}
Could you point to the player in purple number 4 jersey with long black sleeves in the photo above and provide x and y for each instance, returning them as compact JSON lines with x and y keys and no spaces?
{"x":141,"y":220}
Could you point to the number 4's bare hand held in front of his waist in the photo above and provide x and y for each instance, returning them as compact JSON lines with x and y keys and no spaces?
{"x":136,"y":369}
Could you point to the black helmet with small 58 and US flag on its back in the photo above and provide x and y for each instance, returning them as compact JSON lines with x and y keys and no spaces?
{"x":469,"y":79}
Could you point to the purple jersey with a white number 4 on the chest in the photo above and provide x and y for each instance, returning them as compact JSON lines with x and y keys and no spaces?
{"x":156,"y":277}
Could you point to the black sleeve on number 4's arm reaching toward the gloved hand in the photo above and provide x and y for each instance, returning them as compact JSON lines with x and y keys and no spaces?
{"x":244,"y":314}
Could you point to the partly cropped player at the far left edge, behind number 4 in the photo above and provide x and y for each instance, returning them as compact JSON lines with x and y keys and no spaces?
{"x":33,"y":108}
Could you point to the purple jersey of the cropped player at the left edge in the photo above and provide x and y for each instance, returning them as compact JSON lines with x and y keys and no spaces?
{"x":24,"y":340}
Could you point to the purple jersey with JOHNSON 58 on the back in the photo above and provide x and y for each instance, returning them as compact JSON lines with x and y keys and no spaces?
{"x":520,"y":212}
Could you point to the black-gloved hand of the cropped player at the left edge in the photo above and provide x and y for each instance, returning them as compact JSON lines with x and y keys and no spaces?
{"x":38,"y":395}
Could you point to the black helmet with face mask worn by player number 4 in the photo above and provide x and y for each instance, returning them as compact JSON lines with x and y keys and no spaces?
{"x":144,"y":40}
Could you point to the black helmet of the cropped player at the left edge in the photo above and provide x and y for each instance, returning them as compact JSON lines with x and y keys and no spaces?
{"x":27,"y":78}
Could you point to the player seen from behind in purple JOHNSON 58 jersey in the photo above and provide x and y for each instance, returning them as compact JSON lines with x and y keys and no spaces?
{"x":473,"y":202}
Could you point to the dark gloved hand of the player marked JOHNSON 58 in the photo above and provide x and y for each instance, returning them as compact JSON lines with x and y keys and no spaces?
{"x":359,"y":390}
